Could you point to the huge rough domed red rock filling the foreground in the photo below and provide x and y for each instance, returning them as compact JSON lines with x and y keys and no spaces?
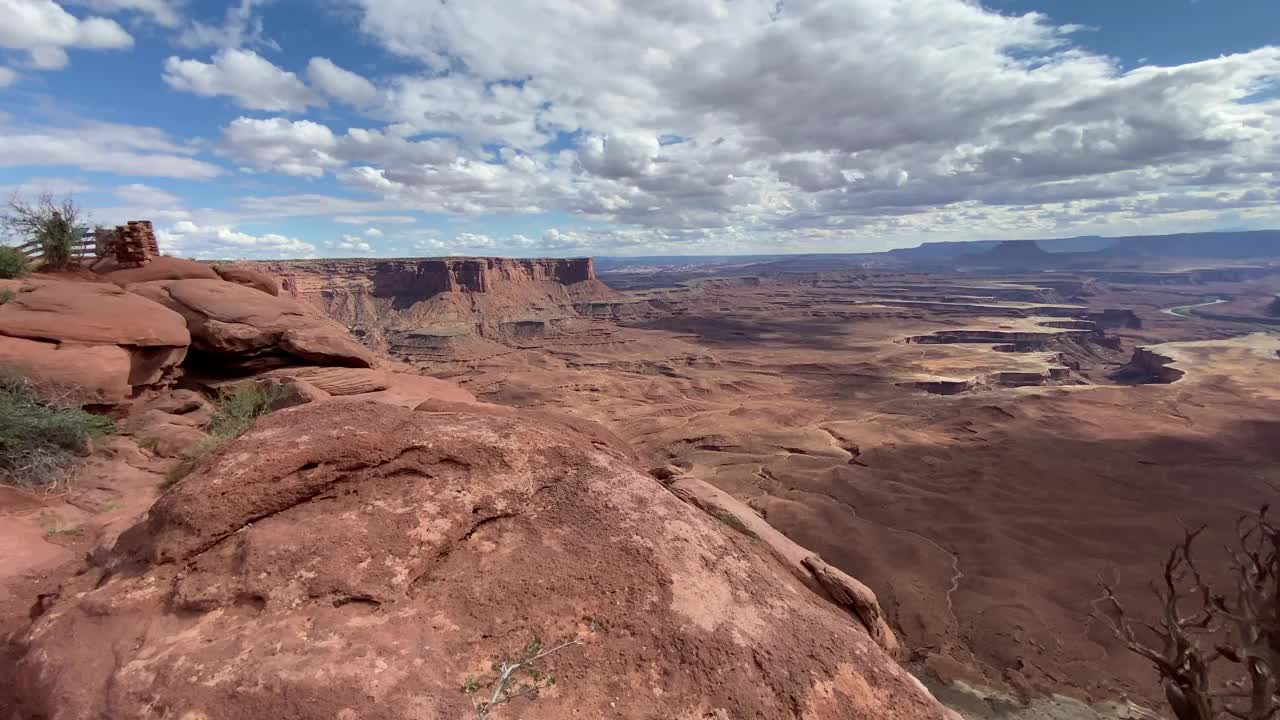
{"x":359,"y":560}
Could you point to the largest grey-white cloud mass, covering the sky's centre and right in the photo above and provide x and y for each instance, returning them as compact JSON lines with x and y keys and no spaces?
{"x":807,"y":121}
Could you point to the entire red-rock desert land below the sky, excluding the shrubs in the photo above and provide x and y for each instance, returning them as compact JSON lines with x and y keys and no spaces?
{"x":972,"y":439}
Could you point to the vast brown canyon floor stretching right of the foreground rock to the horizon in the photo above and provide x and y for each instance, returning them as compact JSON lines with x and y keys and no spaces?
{"x":977,"y":449}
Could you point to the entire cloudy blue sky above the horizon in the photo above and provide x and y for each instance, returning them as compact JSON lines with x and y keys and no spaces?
{"x":263,"y":129}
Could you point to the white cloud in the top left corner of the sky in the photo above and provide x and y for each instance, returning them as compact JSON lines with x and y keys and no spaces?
{"x":45,"y":30}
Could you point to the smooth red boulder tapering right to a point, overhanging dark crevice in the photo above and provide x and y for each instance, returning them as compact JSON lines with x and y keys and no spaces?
{"x":245,"y":327}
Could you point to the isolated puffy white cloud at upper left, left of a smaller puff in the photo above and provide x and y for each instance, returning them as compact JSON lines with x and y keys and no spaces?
{"x":244,"y":76}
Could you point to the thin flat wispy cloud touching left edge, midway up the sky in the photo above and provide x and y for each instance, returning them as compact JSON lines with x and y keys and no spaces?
{"x":129,"y":151}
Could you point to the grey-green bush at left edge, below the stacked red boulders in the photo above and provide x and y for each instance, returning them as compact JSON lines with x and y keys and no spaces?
{"x":39,"y":439}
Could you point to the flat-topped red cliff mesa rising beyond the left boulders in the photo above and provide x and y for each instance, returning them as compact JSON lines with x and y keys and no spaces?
{"x":436,"y":308}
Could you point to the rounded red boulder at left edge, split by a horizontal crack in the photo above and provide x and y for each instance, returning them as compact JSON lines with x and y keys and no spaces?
{"x":93,"y":339}
